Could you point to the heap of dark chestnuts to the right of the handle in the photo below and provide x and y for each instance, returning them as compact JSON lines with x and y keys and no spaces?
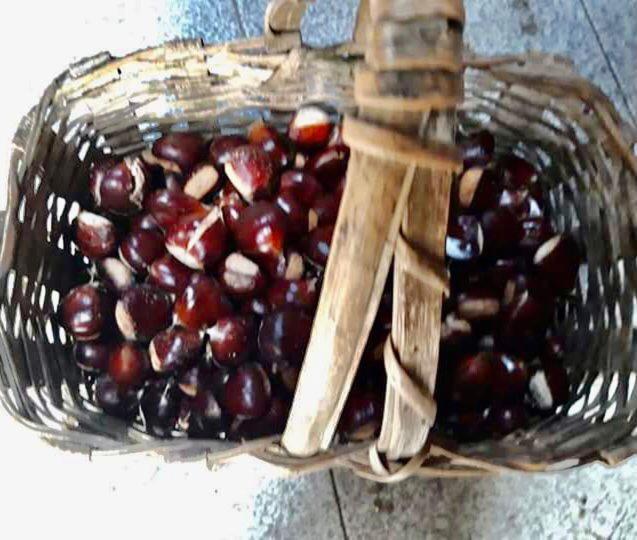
{"x":501,"y":359}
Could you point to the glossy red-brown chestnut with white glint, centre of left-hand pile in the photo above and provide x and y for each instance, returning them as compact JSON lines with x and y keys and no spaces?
{"x":201,"y":304}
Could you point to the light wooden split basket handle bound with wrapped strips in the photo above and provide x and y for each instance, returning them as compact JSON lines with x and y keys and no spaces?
{"x":397,"y":179}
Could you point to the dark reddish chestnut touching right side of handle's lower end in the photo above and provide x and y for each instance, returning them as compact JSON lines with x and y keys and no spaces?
{"x":472,"y":379}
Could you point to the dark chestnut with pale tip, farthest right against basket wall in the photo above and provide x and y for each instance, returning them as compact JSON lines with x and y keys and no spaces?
{"x":558,"y":260}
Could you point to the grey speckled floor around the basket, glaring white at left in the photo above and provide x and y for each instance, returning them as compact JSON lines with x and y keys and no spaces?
{"x":45,"y":490}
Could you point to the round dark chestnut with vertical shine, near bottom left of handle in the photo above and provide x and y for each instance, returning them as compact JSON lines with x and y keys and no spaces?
{"x":247,"y":392}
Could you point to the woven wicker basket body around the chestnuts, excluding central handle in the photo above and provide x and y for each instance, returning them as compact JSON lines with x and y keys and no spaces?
{"x":103,"y":105}
